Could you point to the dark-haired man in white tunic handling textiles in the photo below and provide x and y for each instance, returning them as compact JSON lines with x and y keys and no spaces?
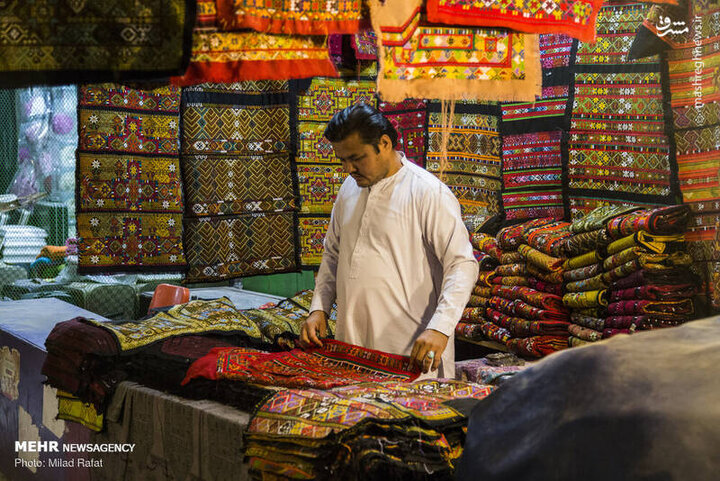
{"x":397,"y":256}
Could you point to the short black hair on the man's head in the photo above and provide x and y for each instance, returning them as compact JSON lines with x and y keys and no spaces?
{"x":367,"y":121}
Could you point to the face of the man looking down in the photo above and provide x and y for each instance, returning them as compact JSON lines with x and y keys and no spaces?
{"x":365,"y":164}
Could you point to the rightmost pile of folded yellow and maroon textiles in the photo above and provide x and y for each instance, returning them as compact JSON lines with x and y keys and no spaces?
{"x":636,"y":276}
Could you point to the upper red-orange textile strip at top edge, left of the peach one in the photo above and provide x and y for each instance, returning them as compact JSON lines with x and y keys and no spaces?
{"x":290,"y":17}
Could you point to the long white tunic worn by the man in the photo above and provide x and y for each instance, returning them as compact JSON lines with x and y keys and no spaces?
{"x":398,"y":261}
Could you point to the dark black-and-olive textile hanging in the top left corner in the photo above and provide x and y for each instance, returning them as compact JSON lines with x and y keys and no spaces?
{"x":59,"y":42}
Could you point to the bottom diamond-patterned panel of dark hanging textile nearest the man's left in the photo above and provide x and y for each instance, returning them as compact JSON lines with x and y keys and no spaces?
{"x":241,"y":245}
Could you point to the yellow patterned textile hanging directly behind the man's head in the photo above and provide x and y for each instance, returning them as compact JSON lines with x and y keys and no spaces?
{"x":320,"y":175}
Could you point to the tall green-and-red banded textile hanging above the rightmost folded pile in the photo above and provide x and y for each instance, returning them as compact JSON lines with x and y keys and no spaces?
{"x":618,"y":149}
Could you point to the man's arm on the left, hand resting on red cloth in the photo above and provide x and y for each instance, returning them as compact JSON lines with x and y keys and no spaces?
{"x":315,"y":326}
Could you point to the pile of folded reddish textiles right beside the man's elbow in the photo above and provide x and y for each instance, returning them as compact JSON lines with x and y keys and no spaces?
{"x":503,"y":308}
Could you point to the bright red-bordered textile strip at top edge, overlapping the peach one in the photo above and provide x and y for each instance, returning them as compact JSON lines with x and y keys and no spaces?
{"x":576,"y":18}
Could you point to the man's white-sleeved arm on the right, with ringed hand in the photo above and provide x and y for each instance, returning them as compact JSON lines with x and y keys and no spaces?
{"x":448,"y":238}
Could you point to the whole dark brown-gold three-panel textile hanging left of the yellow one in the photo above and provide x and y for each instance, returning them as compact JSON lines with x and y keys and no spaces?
{"x":236,"y":160}
